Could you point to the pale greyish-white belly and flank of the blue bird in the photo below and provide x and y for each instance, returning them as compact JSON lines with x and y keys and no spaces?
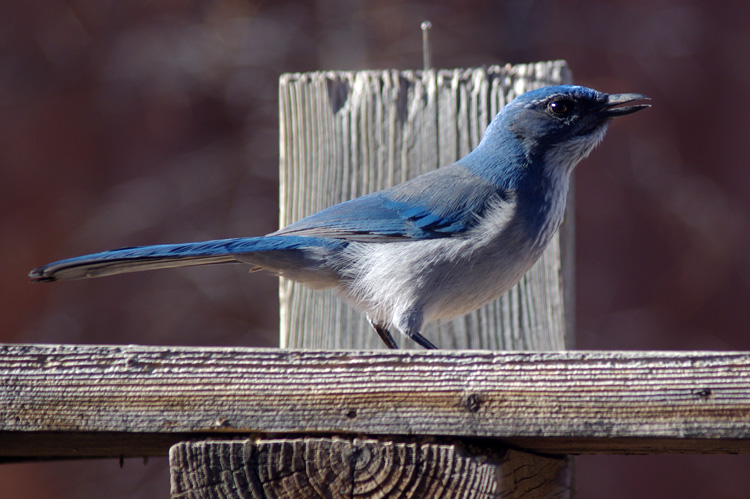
{"x":444,"y":277}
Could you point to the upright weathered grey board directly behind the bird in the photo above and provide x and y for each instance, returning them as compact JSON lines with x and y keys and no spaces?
{"x":345,"y":134}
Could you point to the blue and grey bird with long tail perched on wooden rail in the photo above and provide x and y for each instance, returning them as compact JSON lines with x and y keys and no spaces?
{"x":435,"y":247}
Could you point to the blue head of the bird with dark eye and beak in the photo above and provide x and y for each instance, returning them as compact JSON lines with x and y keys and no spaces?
{"x":559,"y":126}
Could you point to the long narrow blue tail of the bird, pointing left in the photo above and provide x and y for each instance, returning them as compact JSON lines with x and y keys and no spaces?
{"x":276,"y":251}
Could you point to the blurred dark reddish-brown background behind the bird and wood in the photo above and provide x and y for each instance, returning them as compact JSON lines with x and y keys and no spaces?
{"x":125,"y":123}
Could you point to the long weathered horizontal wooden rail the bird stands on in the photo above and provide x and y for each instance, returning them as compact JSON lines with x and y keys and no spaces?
{"x":557,"y":402}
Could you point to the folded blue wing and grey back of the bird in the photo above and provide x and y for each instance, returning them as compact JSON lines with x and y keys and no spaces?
{"x":443,"y":203}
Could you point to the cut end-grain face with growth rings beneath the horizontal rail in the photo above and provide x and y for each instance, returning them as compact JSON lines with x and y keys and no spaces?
{"x":330,"y":467}
